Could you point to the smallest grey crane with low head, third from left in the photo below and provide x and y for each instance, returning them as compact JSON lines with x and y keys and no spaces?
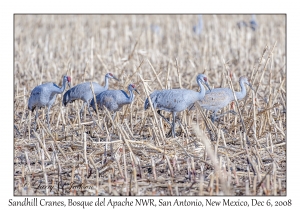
{"x":114,"y":100}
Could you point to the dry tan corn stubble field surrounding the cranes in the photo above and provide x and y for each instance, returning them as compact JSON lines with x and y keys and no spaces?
{"x":132,"y":155}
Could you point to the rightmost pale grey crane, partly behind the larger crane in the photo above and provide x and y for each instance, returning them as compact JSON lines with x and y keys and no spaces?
{"x":218,"y":98}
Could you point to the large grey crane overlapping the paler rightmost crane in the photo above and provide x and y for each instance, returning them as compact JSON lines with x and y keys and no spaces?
{"x":176,"y":100}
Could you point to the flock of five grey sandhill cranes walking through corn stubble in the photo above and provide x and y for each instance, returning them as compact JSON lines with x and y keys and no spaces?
{"x":170,"y":100}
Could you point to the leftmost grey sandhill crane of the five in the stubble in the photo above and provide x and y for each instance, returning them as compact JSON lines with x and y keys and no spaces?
{"x":45,"y":95}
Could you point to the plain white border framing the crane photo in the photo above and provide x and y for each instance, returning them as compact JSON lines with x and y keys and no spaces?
{"x":153,"y":6}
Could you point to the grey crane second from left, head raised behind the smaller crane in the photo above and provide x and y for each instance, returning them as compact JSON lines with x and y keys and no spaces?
{"x":83,"y":92}
